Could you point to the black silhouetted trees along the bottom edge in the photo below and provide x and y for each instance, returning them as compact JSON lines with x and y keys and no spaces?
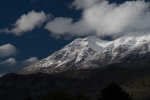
{"x":111,"y":92}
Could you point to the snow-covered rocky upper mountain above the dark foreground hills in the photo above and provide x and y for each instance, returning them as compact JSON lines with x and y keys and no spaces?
{"x":92,"y":52}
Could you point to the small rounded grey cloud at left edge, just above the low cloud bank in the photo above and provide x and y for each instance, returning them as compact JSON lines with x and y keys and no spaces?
{"x":7,"y":50}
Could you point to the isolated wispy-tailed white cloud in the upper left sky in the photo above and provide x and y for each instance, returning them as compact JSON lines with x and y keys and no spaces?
{"x":27,"y":22}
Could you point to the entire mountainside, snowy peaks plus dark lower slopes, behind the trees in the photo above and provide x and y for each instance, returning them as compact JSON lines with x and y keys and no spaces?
{"x":86,"y":66}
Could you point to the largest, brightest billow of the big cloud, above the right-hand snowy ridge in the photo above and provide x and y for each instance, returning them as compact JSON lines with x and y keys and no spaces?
{"x":112,"y":19}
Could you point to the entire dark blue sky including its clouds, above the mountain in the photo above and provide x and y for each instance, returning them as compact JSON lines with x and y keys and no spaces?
{"x":31,"y":30}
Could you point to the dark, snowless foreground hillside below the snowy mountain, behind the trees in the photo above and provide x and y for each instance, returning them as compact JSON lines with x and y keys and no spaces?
{"x":87,"y":82}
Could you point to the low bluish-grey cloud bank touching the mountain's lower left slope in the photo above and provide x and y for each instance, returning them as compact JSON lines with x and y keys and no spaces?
{"x":13,"y":66}
